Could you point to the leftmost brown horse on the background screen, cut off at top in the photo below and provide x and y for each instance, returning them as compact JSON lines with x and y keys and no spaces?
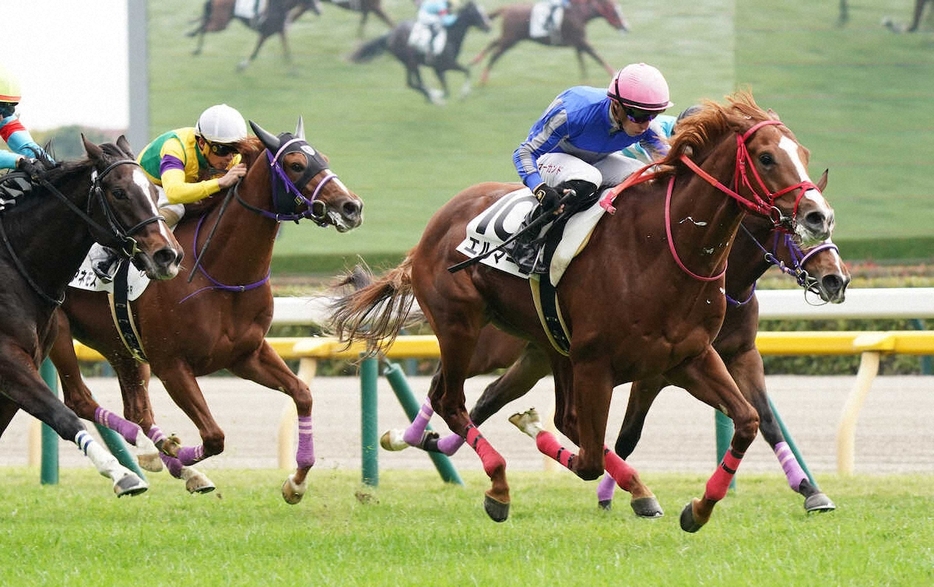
{"x":217,"y":15}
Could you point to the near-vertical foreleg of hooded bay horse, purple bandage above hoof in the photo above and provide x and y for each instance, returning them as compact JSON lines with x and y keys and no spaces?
{"x":268,"y":369}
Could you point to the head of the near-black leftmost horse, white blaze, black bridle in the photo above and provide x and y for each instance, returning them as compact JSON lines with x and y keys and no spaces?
{"x":122,"y":204}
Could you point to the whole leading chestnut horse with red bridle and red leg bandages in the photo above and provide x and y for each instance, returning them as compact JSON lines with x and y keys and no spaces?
{"x":655,"y":310}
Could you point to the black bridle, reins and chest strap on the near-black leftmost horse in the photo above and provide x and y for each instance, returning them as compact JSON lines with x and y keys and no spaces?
{"x":122,"y":237}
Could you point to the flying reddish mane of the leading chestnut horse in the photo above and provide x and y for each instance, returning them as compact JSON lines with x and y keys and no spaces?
{"x":705,"y":128}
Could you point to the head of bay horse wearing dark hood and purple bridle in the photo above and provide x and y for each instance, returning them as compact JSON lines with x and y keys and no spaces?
{"x":305,"y":187}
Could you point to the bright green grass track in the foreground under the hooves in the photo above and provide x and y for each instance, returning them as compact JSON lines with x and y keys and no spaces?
{"x":414,"y":530}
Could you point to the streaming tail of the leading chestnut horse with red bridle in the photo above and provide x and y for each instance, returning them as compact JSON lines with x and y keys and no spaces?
{"x":377,"y":310}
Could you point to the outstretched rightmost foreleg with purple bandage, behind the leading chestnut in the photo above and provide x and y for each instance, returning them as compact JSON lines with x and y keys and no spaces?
{"x":748,"y":372}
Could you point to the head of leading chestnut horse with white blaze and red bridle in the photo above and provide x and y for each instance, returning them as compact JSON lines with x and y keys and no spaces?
{"x":769,"y":165}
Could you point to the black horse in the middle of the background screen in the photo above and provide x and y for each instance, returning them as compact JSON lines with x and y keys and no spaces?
{"x":397,"y":42}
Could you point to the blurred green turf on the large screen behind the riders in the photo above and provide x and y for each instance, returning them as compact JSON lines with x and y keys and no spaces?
{"x":858,"y":96}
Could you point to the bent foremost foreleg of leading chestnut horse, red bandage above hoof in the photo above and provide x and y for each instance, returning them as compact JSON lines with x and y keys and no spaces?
{"x":707,"y":379}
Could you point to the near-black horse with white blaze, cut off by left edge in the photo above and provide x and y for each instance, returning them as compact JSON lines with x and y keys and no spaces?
{"x":46,"y":234}
